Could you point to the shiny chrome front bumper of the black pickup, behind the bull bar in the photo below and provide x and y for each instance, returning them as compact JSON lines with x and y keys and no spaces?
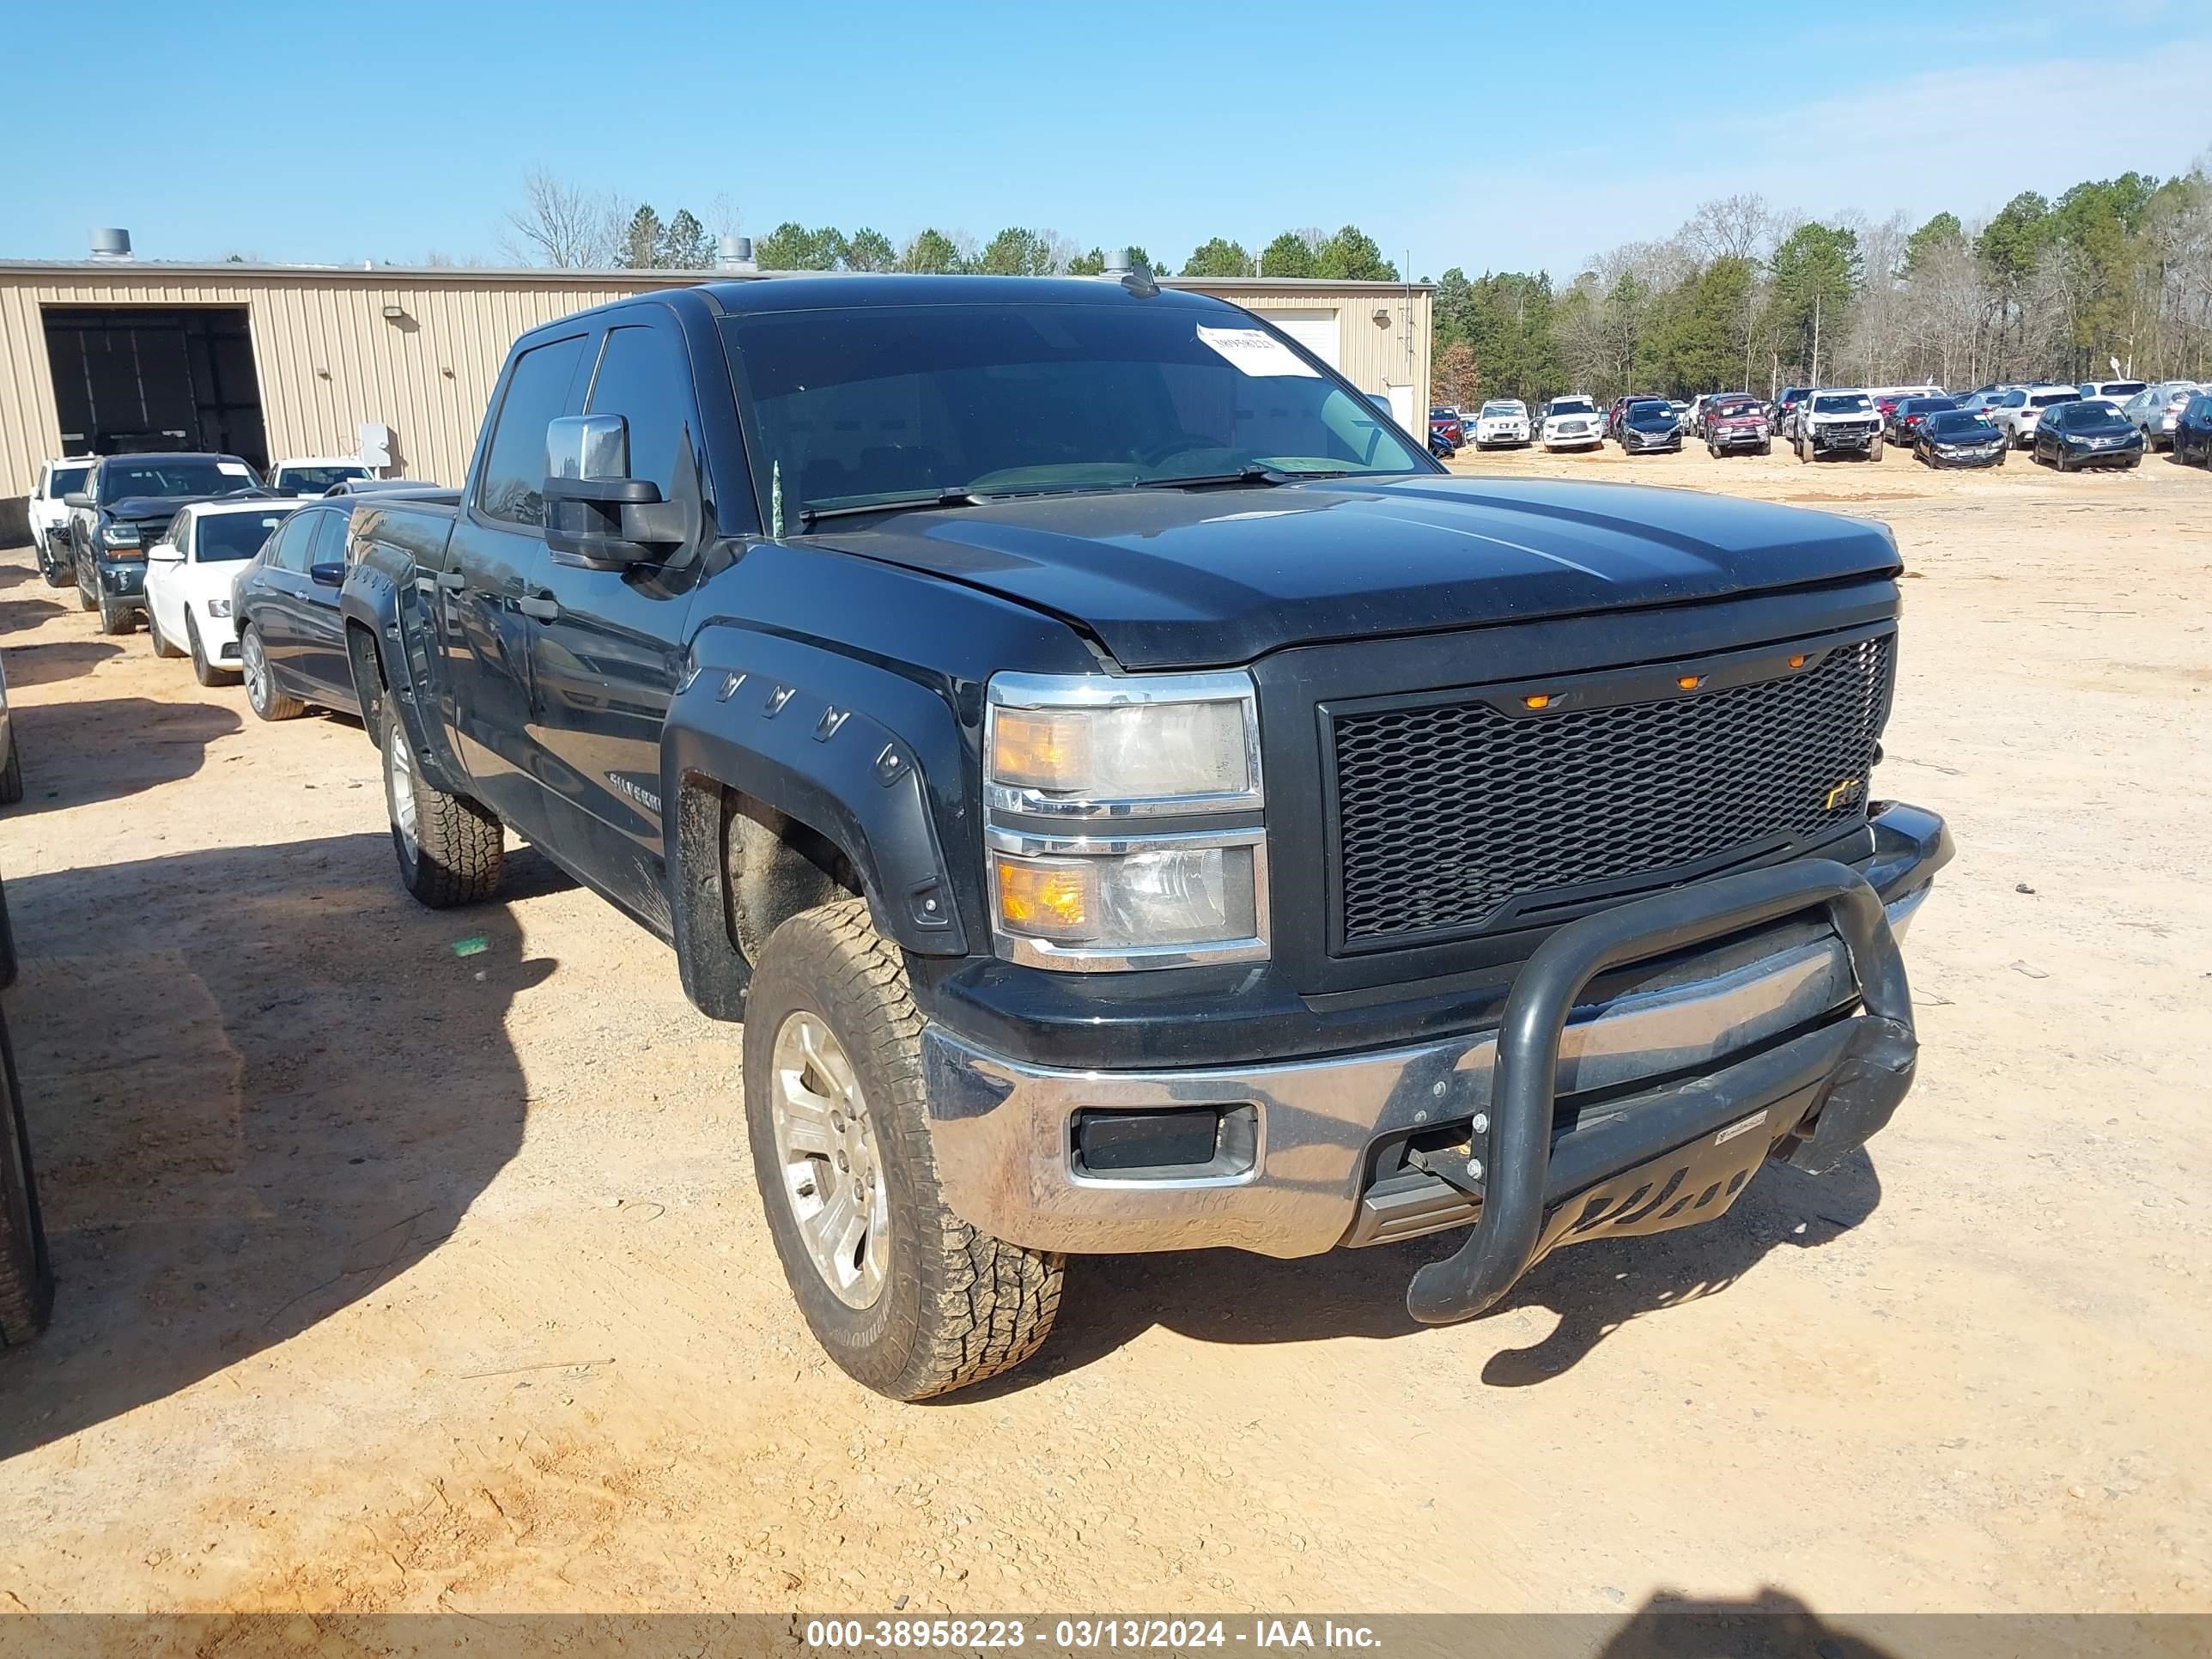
{"x":1003,"y":1129}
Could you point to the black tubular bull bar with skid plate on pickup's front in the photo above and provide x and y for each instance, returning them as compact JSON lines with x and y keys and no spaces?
{"x":1682,"y":1154}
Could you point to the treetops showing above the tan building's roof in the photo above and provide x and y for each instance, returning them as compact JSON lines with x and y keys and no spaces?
{"x":572,"y":229}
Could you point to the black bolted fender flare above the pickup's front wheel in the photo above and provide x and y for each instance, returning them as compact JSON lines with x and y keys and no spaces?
{"x":866,"y":758}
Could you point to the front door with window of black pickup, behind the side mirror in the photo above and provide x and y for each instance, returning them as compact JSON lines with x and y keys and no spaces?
{"x":609,"y":643}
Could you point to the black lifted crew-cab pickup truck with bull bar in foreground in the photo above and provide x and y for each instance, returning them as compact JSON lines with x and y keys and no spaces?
{"x":1136,"y":800}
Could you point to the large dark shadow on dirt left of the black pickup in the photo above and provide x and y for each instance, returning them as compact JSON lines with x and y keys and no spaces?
{"x":260,"y":1087}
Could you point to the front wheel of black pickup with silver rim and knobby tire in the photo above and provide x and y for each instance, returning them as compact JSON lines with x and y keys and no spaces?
{"x":899,"y":1291}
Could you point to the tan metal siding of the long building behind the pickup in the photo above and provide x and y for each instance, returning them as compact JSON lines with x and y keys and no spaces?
{"x":328,"y":359}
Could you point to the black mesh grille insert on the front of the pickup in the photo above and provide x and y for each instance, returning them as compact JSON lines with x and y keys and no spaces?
{"x":1450,"y":813}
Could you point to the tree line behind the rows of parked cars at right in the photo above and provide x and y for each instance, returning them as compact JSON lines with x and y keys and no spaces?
{"x":1749,"y":298}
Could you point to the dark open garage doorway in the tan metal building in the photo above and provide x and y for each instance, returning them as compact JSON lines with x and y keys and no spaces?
{"x":129,"y":379}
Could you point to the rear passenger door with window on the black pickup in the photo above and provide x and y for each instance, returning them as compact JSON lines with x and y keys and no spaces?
{"x":497,"y":563}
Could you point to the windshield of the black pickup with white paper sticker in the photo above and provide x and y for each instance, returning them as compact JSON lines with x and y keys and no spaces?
{"x":897,"y":401}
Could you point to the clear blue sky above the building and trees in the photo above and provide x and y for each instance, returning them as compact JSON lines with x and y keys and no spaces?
{"x":1472,"y":134}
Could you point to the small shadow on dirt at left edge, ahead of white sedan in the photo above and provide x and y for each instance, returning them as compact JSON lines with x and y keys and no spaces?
{"x":105,"y":749}
